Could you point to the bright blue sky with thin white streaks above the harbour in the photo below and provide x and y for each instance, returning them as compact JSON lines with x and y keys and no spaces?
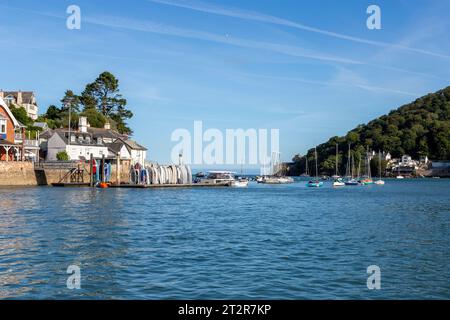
{"x":310,"y":68}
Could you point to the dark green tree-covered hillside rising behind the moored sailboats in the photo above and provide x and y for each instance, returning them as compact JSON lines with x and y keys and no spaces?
{"x":420,"y":128}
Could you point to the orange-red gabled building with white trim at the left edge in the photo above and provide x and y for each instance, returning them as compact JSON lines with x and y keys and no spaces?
{"x":10,"y":130}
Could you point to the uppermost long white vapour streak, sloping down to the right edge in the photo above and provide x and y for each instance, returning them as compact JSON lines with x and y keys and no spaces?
{"x":256,"y":16}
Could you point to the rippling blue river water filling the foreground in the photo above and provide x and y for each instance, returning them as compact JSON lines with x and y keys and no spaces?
{"x":275,"y":242}
